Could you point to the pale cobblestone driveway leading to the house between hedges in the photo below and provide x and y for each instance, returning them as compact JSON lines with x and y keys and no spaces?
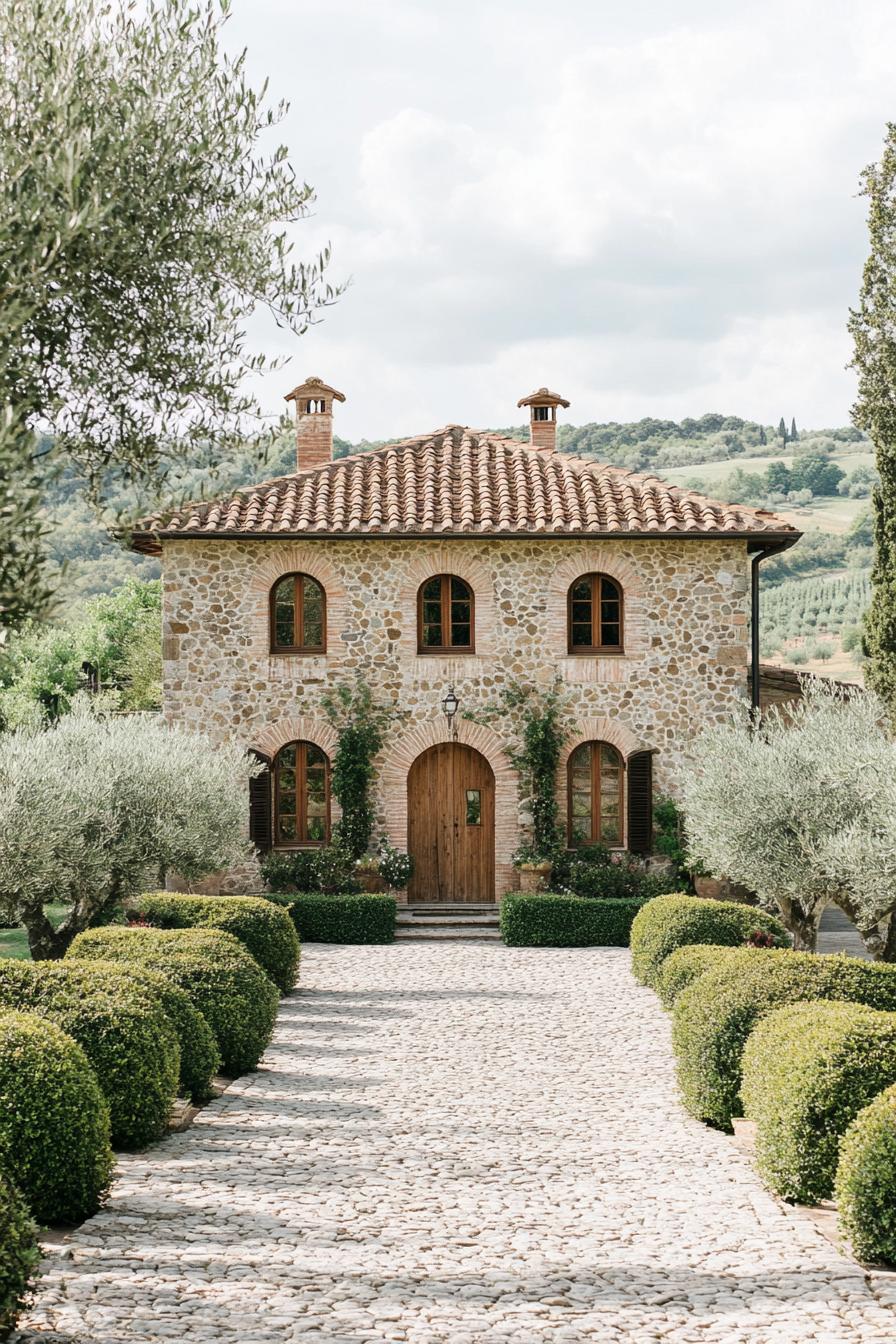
{"x":463,"y":1144}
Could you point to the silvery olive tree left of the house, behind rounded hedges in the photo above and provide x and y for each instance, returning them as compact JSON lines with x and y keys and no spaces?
{"x":95,"y":808}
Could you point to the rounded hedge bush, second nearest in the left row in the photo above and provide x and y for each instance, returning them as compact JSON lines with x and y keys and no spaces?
{"x":54,"y":1120}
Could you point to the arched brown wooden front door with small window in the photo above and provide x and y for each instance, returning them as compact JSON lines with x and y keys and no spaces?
{"x":451,"y":826}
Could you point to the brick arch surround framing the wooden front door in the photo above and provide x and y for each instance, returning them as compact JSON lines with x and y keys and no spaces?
{"x":410,"y":744}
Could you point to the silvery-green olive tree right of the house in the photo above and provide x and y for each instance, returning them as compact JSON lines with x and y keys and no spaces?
{"x":801,"y":808}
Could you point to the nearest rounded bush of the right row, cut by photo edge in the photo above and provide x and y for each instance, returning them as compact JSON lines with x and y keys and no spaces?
{"x":866,"y":1185}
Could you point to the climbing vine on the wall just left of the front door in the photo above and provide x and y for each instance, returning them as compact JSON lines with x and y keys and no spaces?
{"x":361,"y":725}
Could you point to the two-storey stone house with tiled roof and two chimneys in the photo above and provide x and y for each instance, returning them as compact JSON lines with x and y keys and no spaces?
{"x":459,"y":562}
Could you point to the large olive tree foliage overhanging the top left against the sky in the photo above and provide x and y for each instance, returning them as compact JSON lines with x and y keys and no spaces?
{"x":143,"y":222}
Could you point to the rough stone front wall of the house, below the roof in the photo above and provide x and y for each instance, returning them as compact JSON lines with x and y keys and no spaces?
{"x":686,"y":650}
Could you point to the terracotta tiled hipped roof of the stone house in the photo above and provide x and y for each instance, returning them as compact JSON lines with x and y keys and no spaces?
{"x":461,"y":482}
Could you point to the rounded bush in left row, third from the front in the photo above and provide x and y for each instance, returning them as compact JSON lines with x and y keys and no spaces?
{"x":130,"y":1041}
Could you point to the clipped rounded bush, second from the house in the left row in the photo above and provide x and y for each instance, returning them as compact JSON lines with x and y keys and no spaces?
{"x":228,"y":986}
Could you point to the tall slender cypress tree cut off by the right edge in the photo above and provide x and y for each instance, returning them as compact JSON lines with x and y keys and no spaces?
{"x":874,"y":330}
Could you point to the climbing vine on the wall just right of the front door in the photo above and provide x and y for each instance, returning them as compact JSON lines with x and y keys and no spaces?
{"x":538,"y":720}
